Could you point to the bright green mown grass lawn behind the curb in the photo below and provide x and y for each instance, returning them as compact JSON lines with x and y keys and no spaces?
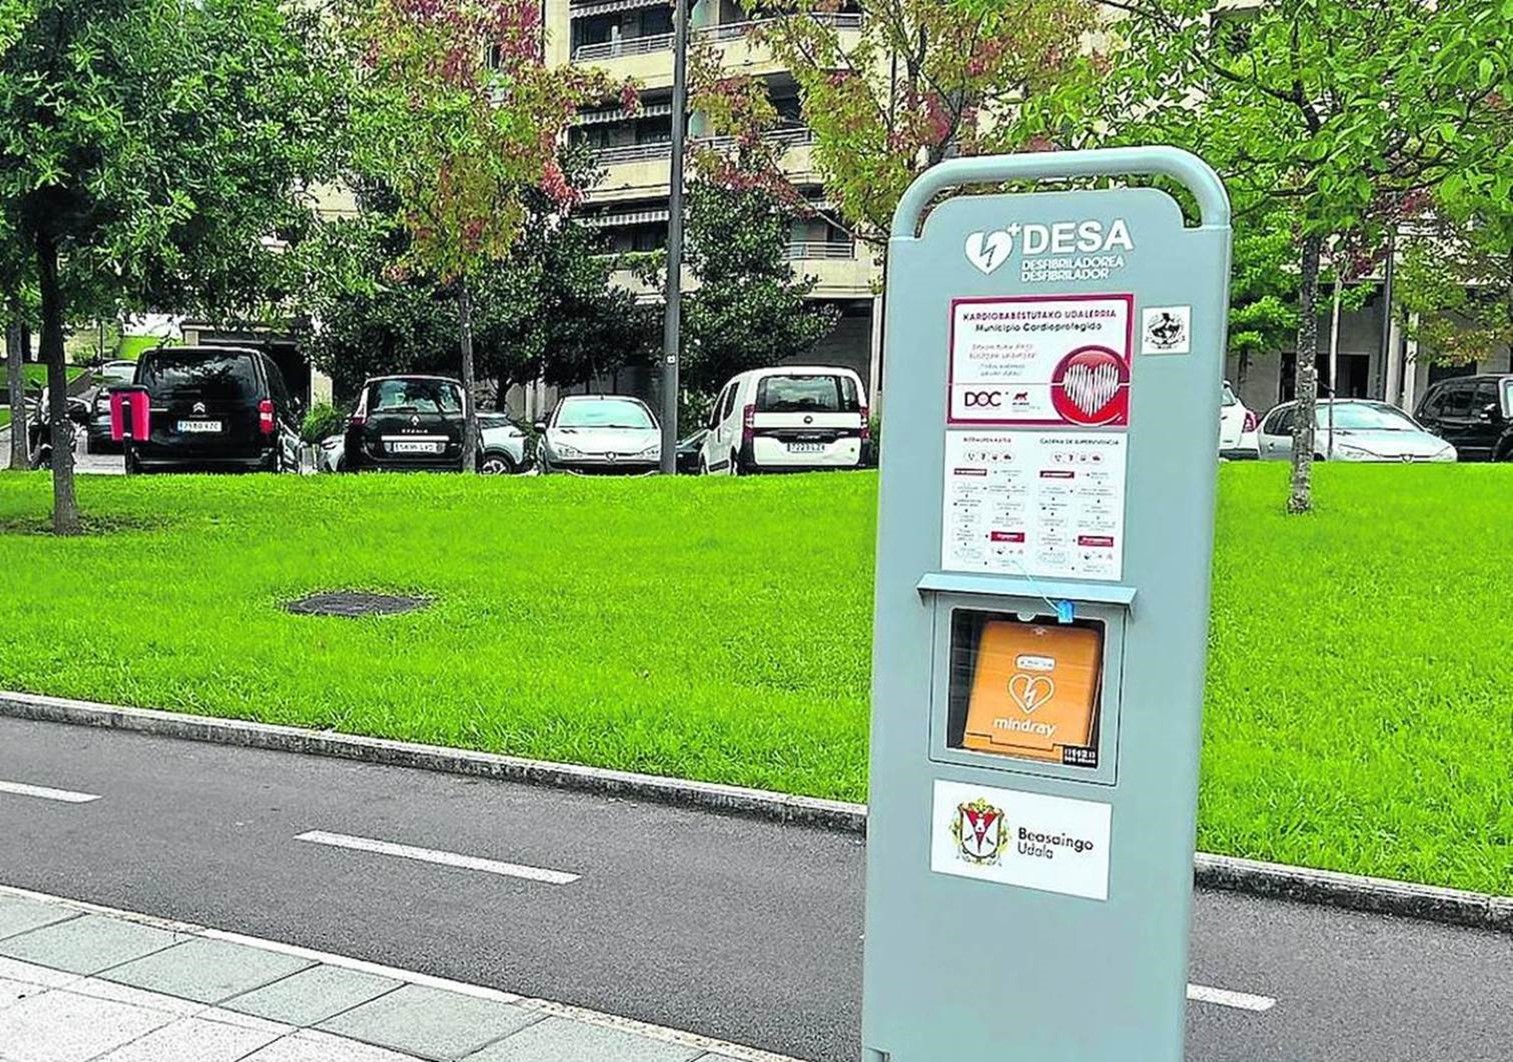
{"x":1361,"y":685}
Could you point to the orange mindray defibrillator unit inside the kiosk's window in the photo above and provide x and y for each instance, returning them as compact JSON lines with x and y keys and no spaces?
{"x":1036,"y":692}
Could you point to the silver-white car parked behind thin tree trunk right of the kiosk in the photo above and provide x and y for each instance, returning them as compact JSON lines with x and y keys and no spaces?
{"x":1362,"y":432}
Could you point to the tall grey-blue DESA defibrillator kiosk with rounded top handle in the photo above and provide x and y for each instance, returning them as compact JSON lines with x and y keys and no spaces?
{"x":1042,"y":606}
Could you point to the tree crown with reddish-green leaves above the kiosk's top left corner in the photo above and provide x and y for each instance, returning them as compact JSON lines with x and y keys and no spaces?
{"x":918,"y":82}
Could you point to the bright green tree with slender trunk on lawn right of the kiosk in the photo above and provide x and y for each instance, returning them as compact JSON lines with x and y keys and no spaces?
{"x":1328,"y":111}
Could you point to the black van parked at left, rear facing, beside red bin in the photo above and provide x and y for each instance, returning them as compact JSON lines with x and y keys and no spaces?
{"x":216,"y":409}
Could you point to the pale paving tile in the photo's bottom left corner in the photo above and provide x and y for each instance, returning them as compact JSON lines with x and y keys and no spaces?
{"x":64,"y":1028}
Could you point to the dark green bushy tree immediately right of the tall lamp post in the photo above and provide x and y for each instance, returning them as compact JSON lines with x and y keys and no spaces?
{"x":750,"y":309}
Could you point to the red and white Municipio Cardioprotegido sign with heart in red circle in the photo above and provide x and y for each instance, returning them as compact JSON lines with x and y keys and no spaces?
{"x":1042,"y":361}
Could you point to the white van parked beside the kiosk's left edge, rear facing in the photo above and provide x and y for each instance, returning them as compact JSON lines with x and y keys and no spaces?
{"x":791,"y":418}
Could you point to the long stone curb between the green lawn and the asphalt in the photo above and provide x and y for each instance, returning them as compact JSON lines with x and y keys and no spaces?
{"x":1211,"y":872}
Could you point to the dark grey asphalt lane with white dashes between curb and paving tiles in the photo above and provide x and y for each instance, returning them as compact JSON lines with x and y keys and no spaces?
{"x":738,"y":930}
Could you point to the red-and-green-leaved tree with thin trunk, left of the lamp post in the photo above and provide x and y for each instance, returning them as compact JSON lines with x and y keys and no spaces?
{"x":461,"y":116}
